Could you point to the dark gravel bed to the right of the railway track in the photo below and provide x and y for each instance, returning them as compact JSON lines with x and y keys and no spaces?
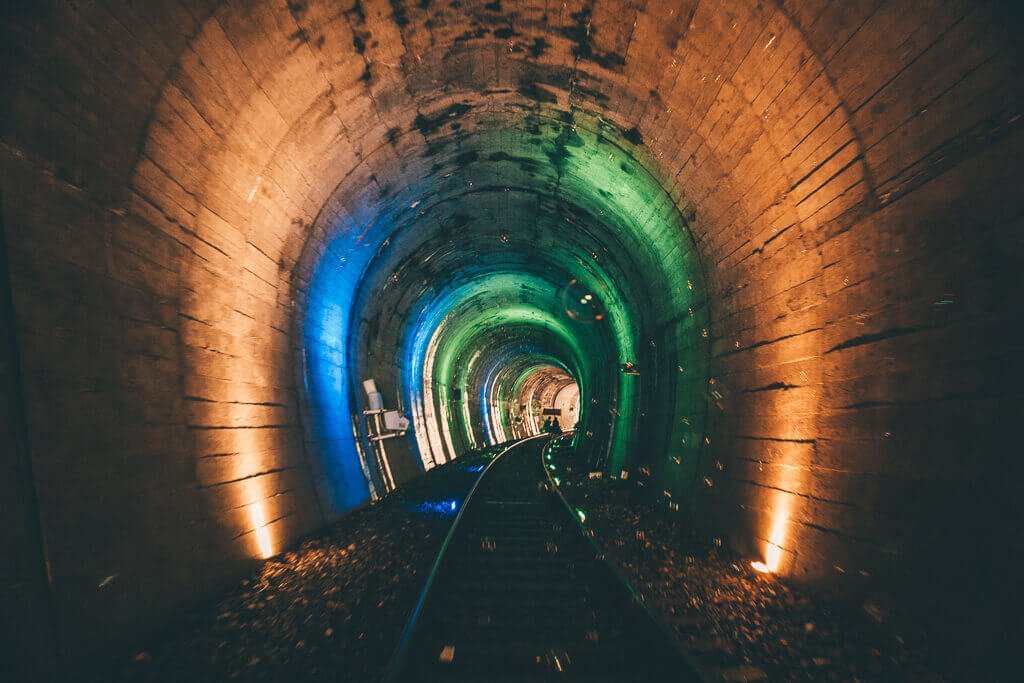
{"x":738,"y":625}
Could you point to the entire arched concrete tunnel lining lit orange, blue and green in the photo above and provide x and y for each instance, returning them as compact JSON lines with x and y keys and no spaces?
{"x":269,"y":265}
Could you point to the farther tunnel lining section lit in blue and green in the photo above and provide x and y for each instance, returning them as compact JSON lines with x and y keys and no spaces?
{"x":532,"y":240}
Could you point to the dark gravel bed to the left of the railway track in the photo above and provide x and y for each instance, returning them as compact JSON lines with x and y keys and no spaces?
{"x":331,"y":610}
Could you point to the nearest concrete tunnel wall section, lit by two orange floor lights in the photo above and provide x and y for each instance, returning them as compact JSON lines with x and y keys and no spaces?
{"x":173,"y":170}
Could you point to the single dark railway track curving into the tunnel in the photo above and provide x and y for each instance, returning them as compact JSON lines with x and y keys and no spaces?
{"x":520,"y":593}
